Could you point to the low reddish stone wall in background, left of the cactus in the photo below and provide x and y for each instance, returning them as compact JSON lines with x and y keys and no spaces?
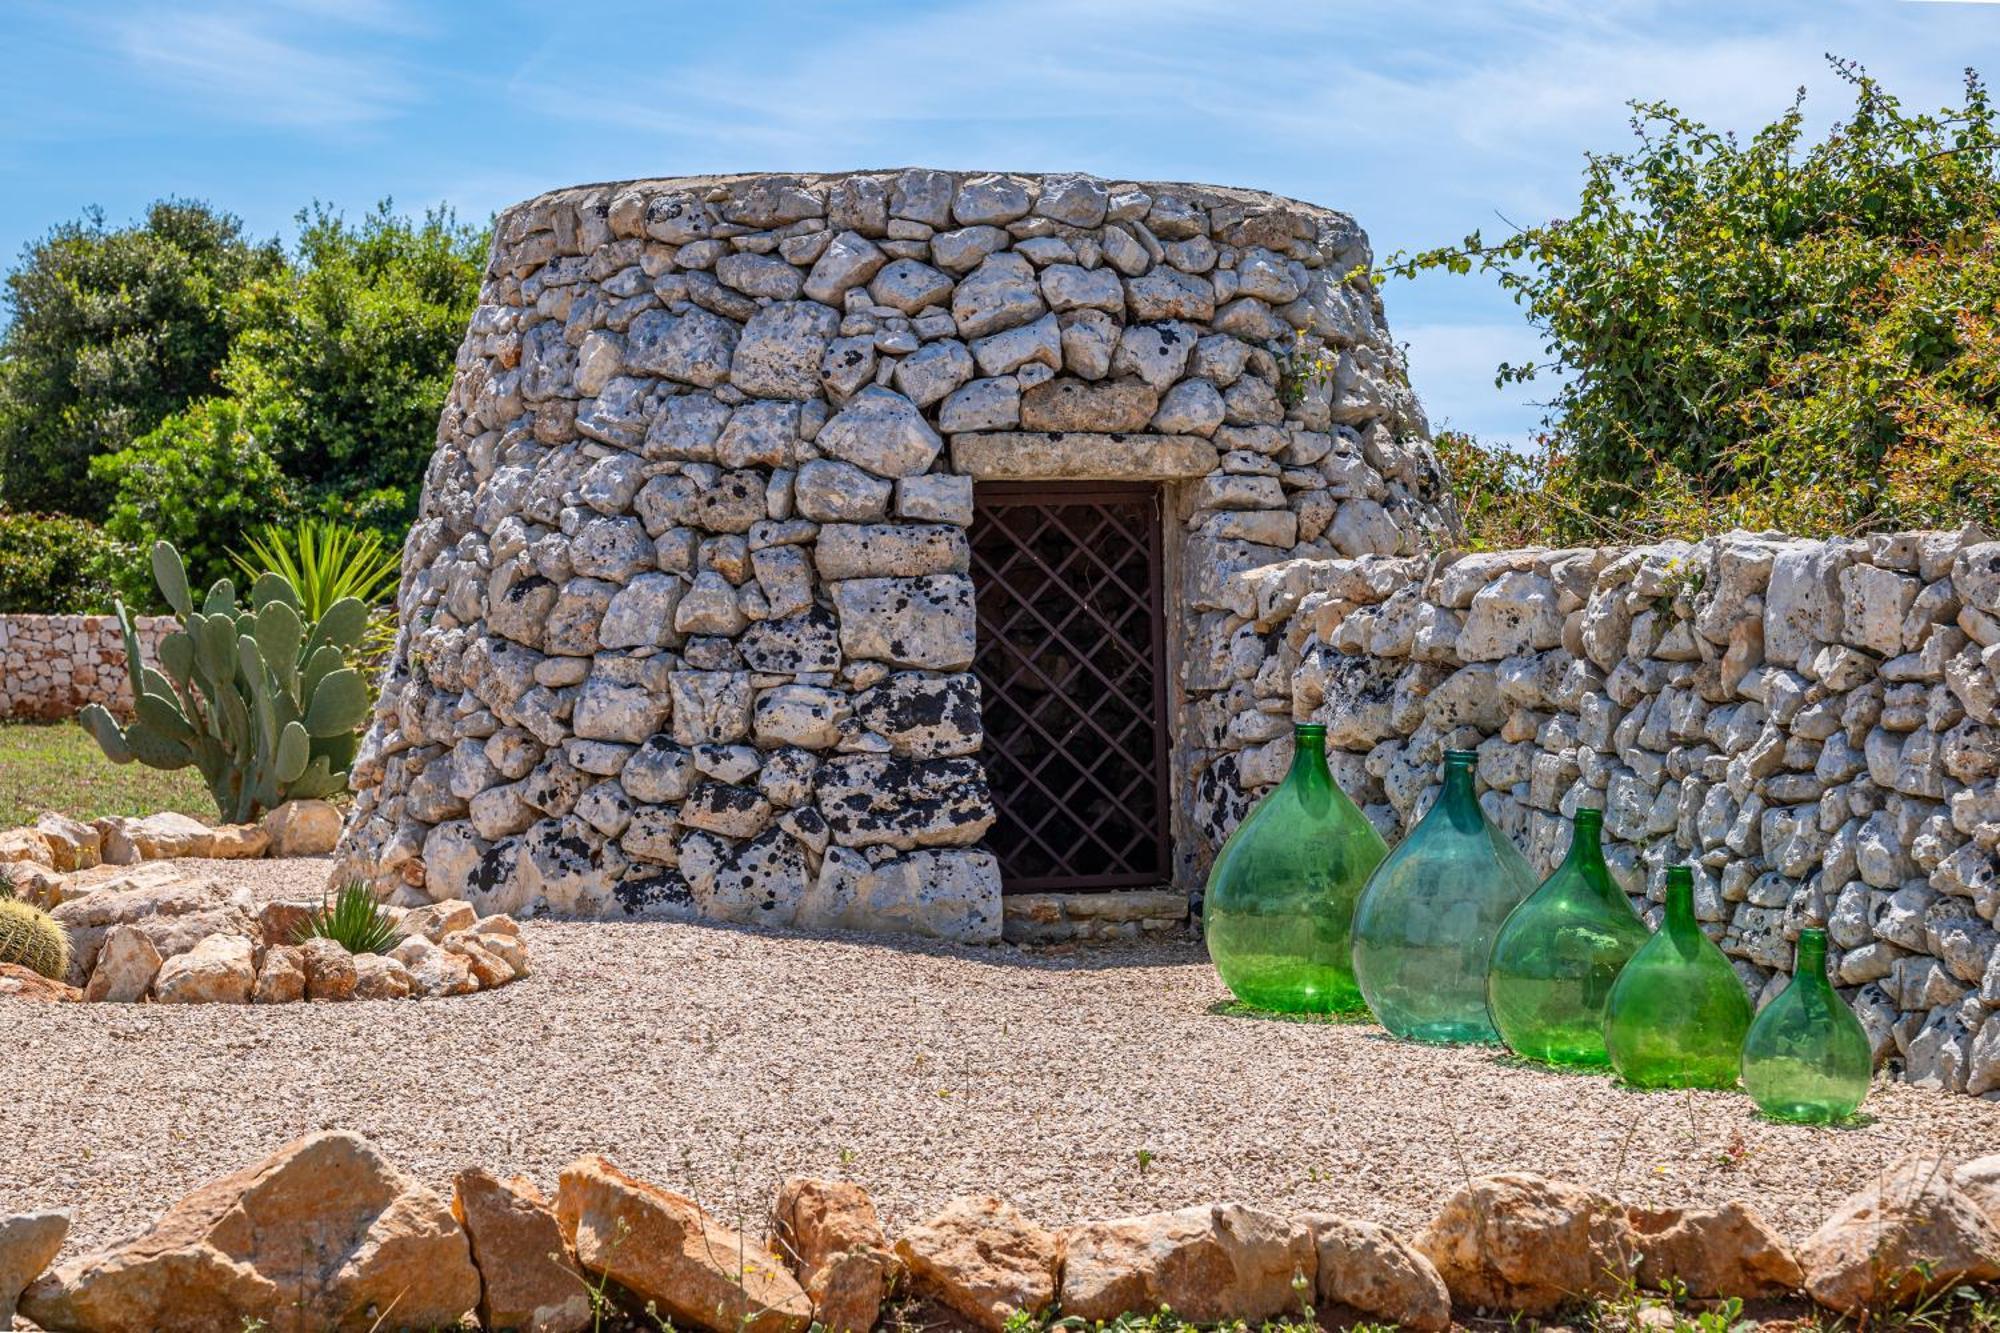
{"x":55,"y":665}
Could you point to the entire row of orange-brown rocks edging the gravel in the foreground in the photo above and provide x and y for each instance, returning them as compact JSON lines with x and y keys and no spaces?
{"x":1511,"y":1244}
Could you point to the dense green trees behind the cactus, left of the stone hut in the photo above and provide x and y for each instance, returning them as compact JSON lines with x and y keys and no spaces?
{"x":183,"y":385}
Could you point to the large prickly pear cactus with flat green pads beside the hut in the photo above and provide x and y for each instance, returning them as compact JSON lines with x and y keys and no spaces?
{"x":259,"y":702}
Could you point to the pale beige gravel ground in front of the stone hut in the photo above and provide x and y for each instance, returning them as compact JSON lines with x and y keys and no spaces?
{"x":1085,"y":1084}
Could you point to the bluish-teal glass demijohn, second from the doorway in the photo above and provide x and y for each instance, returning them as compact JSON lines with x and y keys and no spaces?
{"x":1429,"y":920}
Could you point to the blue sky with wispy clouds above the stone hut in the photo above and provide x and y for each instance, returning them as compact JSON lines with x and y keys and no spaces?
{"x":1423,"y":119}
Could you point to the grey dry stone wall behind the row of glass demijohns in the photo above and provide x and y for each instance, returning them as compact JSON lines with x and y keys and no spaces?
{"x":1815,"y":726}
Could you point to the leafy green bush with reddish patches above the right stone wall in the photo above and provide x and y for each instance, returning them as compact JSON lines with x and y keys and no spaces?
{"x":1765,"y":331}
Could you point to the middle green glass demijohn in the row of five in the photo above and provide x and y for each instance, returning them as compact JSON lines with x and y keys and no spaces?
{"x":1559,"y":956}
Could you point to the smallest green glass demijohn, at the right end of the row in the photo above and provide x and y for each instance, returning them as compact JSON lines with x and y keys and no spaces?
{"x":1807,"y":1056}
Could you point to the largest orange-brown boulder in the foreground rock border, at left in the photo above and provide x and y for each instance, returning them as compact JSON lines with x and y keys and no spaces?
{"x":321,"y":1236}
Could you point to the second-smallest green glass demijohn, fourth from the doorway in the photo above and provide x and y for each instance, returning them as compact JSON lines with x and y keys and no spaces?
{"x":1679,"y":1012}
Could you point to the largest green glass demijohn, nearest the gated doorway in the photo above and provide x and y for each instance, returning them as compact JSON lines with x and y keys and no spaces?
{"x":1281,"y":896}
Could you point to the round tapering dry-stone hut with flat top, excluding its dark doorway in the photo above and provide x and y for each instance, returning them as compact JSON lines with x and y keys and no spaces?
{"x":689,"y":619}
